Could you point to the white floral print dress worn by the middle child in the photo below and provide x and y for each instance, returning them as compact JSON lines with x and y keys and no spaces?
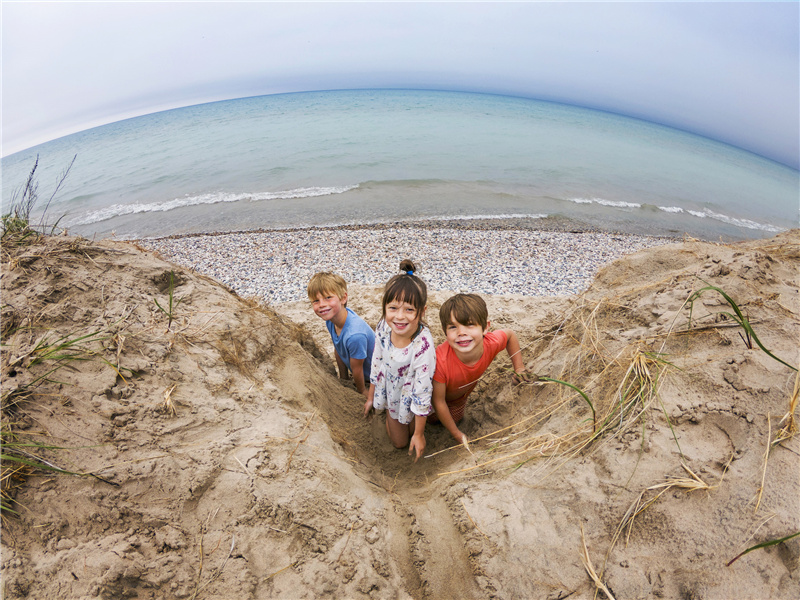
{"x":403,"y":376}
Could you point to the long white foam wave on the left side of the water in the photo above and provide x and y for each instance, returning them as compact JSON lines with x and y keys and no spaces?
{"x":117,"y":210}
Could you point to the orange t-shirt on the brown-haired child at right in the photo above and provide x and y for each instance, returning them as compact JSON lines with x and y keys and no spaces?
{"x":458,"y":377}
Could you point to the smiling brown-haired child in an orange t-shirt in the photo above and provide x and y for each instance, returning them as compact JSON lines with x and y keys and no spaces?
{"x":465,"y":356}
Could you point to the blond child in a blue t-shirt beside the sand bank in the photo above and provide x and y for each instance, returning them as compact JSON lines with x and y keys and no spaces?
{"x":353,"y":339}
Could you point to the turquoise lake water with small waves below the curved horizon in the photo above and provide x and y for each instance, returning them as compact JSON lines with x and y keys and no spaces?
{"x":327,"y":158}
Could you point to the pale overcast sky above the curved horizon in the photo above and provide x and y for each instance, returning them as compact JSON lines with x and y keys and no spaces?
{"x":730,"y":71}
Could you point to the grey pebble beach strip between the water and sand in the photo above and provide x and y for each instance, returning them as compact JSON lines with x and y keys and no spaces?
{"x":529,"y":258}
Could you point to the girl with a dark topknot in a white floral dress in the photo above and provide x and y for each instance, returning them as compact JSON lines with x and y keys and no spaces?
{"x":403,"y":361}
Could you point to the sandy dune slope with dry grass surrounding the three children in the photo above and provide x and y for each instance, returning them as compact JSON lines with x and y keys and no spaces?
{"x":221,"y":458}
